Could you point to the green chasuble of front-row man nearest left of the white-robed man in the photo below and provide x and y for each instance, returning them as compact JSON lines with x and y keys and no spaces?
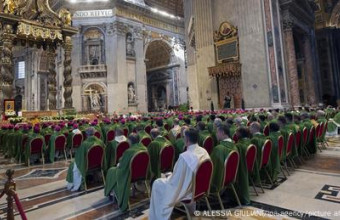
{"x":118,"y":178}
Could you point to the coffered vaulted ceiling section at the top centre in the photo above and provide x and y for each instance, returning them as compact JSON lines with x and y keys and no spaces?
{"x":174,"y":7}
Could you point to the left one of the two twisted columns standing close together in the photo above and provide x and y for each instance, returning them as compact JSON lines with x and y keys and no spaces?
{"x":52,"y":82}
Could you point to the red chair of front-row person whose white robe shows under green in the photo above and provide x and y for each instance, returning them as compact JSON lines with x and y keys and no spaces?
{"x":95,"y":156}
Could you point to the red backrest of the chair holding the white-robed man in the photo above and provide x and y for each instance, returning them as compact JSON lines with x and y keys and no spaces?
{"x":202,"y":179}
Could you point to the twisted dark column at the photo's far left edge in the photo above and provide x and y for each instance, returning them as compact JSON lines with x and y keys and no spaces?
{"x":7,"y":77}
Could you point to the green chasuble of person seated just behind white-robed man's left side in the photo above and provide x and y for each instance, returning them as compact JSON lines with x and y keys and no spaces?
{"x":154,"y":150}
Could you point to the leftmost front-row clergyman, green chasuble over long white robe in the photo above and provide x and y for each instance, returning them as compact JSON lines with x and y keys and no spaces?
{"x":77,"y":168}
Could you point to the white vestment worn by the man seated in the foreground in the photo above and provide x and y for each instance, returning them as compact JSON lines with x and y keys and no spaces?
{"x":167,"y":192}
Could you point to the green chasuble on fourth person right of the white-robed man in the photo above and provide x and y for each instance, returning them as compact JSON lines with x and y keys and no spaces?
{"x":274,"y":163}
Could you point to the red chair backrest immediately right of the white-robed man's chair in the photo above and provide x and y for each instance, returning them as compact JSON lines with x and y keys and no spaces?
{"x":231,"y":168}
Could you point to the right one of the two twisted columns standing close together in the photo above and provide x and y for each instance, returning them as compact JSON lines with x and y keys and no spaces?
{"x":68,"y":73}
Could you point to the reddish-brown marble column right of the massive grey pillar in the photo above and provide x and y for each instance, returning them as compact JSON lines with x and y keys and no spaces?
{"x":291,"y":63}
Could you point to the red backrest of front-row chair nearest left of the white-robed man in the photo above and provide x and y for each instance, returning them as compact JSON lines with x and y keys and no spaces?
{"x":139,"y":166}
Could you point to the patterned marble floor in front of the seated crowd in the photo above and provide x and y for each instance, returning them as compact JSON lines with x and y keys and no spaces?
{"x":311,"y":192}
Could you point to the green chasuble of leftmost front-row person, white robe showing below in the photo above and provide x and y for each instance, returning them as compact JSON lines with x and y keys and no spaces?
{"x":81,"y":157}
